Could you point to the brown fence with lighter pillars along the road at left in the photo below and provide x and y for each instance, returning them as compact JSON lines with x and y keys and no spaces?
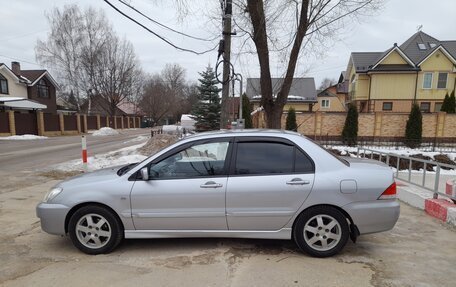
{"x":46,"y":124}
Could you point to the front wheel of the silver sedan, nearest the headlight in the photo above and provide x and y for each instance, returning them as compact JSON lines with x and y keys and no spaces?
{"x":95,"y":230}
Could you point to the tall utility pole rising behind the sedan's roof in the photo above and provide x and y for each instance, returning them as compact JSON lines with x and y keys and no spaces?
{"x":227,"y":15}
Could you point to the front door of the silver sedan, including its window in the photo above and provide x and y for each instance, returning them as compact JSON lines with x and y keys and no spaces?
{"x":186,"y":190}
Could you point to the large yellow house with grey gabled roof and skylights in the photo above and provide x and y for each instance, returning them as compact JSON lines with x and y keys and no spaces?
{"x":421,"y":70}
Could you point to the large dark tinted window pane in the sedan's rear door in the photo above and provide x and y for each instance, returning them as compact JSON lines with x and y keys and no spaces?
{"x":264,"y":158}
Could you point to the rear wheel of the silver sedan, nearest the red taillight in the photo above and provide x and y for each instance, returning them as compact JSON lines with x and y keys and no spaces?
{"x":321,"y":231}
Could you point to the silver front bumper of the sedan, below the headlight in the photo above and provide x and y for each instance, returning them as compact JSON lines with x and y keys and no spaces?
{"x":52,"y":217}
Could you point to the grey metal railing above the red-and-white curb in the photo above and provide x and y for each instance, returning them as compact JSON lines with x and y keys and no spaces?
{"x":397,"y":161}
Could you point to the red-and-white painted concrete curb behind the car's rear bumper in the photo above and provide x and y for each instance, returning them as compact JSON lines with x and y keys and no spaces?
{"x":441,"y":209}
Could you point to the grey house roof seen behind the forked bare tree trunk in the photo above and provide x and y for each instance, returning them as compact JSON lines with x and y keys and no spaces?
{"x":301,"y":90}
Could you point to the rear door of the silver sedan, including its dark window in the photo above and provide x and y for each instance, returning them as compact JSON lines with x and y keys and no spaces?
{"x":269,"y":180}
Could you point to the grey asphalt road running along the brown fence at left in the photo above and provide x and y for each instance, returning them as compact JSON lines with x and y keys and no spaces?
{"x":29,"y":155}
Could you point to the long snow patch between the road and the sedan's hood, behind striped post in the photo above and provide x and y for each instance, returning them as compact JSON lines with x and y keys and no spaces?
{"x":119,"y":157}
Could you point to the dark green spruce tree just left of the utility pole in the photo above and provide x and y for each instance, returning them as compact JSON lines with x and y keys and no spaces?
{"x":206,"y":111}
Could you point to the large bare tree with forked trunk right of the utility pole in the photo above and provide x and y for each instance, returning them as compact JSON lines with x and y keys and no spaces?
{"x":309,"y":23}
